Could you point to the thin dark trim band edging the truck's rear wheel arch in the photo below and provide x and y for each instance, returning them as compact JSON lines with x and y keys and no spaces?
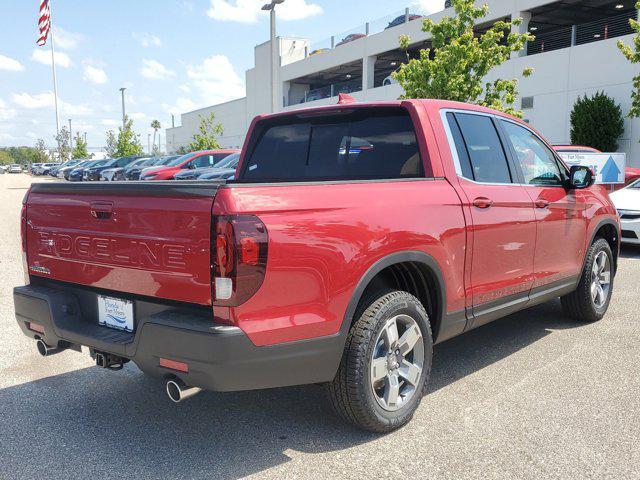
{"x":380,"y":265}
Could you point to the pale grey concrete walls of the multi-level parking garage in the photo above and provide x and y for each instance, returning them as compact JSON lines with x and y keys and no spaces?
{"x":559,"y":78}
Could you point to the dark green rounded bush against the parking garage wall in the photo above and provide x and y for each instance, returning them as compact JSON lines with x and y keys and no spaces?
{"x":597,"y":122}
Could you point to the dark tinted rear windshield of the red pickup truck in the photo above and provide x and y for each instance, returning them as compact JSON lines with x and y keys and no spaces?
{"x":364,"y":144}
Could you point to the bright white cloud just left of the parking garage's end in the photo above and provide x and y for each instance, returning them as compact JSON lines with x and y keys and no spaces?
{"x":216,"y":80}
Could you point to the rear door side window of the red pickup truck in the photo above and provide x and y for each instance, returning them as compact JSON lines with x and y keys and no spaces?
{"x":484,"y":149}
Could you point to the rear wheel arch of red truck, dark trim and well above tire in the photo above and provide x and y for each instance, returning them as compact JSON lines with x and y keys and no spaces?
{"x":418,"y":271}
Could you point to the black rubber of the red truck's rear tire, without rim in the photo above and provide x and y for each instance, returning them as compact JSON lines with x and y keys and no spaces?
{"x":351,"y":392}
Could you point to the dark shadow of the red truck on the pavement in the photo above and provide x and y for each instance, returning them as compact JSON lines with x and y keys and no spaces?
{"x":93,"y":423}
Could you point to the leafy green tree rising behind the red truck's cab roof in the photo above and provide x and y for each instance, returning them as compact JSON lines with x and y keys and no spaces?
{"x":455,"y":66}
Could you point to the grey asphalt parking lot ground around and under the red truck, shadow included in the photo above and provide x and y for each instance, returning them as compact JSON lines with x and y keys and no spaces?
{"x":533,"y":396}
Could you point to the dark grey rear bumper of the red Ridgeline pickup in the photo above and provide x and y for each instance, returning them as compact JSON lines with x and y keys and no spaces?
{"x":219,"y":357}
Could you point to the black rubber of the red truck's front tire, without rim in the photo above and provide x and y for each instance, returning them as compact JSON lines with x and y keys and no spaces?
{"x":579,"y":304}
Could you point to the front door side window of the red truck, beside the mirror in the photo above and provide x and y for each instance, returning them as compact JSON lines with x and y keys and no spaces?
{"x":538,"y":163}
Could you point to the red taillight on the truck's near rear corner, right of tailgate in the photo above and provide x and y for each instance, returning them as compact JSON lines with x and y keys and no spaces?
{"x":239,"y":258}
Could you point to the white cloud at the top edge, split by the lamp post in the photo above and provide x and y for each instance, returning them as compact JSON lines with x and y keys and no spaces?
{"x":247,"y":11}
